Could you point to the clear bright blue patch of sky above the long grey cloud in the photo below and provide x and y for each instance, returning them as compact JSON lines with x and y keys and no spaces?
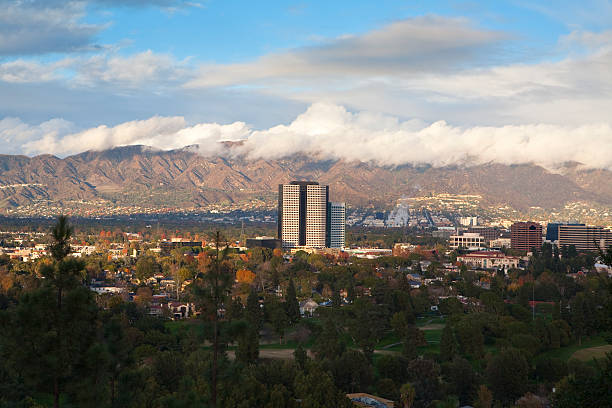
{"x":234,"y":31}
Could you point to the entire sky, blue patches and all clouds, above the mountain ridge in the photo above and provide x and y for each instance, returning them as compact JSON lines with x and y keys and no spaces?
{"x":389,"y":81}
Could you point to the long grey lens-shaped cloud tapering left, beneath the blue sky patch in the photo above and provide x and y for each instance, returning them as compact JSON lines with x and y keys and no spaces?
{"x":420,"y":44}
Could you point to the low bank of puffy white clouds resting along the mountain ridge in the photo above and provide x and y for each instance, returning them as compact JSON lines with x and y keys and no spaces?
{"x":330,"y":131}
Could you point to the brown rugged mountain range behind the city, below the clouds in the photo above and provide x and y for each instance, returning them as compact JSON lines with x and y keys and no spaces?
{"x":141,"y":175}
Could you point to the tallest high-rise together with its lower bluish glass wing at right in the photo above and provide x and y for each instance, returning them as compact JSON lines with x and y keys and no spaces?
{"x":306,"y":218}
